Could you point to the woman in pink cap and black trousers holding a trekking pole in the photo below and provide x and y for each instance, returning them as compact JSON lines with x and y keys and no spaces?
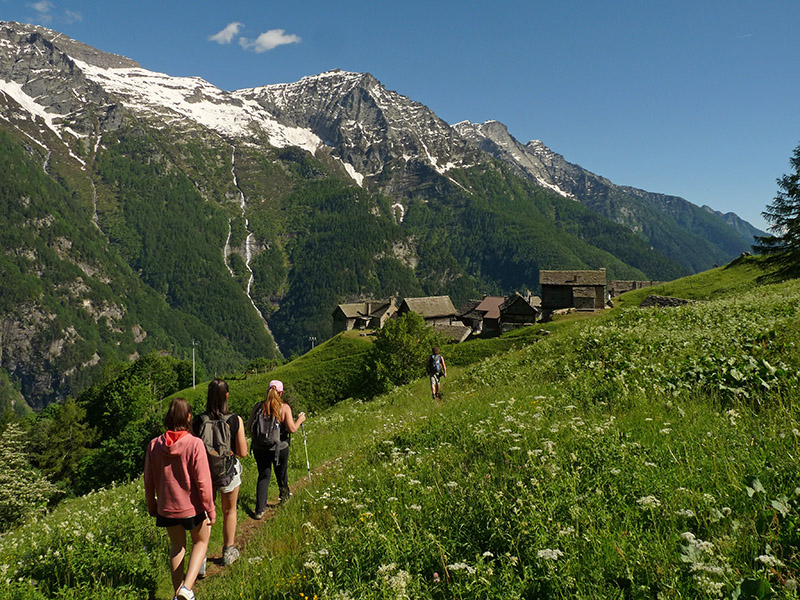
{"x":270,"y":425}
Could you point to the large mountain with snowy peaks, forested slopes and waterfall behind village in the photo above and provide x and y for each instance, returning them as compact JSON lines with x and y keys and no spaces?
{"x":158,"y":212}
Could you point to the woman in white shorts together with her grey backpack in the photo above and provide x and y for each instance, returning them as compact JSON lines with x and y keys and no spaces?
{"x":222,"y":433}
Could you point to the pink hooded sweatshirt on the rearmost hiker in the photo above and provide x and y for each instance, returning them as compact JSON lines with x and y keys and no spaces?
{"x":177,"y":481}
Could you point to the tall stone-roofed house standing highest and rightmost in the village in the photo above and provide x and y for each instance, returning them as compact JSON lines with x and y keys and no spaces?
{"x":582,"y":290}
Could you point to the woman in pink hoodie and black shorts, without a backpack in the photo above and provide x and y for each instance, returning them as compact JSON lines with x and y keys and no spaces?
{"x":178,"y":490}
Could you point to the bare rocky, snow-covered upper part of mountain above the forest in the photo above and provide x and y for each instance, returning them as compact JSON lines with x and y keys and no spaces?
{"x":358,"y":120}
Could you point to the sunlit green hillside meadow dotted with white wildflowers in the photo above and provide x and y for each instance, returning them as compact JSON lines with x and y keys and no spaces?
{"x":644,"y":453}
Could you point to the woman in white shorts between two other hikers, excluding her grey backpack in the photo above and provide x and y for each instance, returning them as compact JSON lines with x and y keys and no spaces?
{"x":217,"y":409}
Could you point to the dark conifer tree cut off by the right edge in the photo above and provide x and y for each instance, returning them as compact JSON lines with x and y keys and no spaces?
{"x":783,"y":248}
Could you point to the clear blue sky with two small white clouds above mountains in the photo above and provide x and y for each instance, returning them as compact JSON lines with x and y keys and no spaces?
{"x":693,"y":98}
